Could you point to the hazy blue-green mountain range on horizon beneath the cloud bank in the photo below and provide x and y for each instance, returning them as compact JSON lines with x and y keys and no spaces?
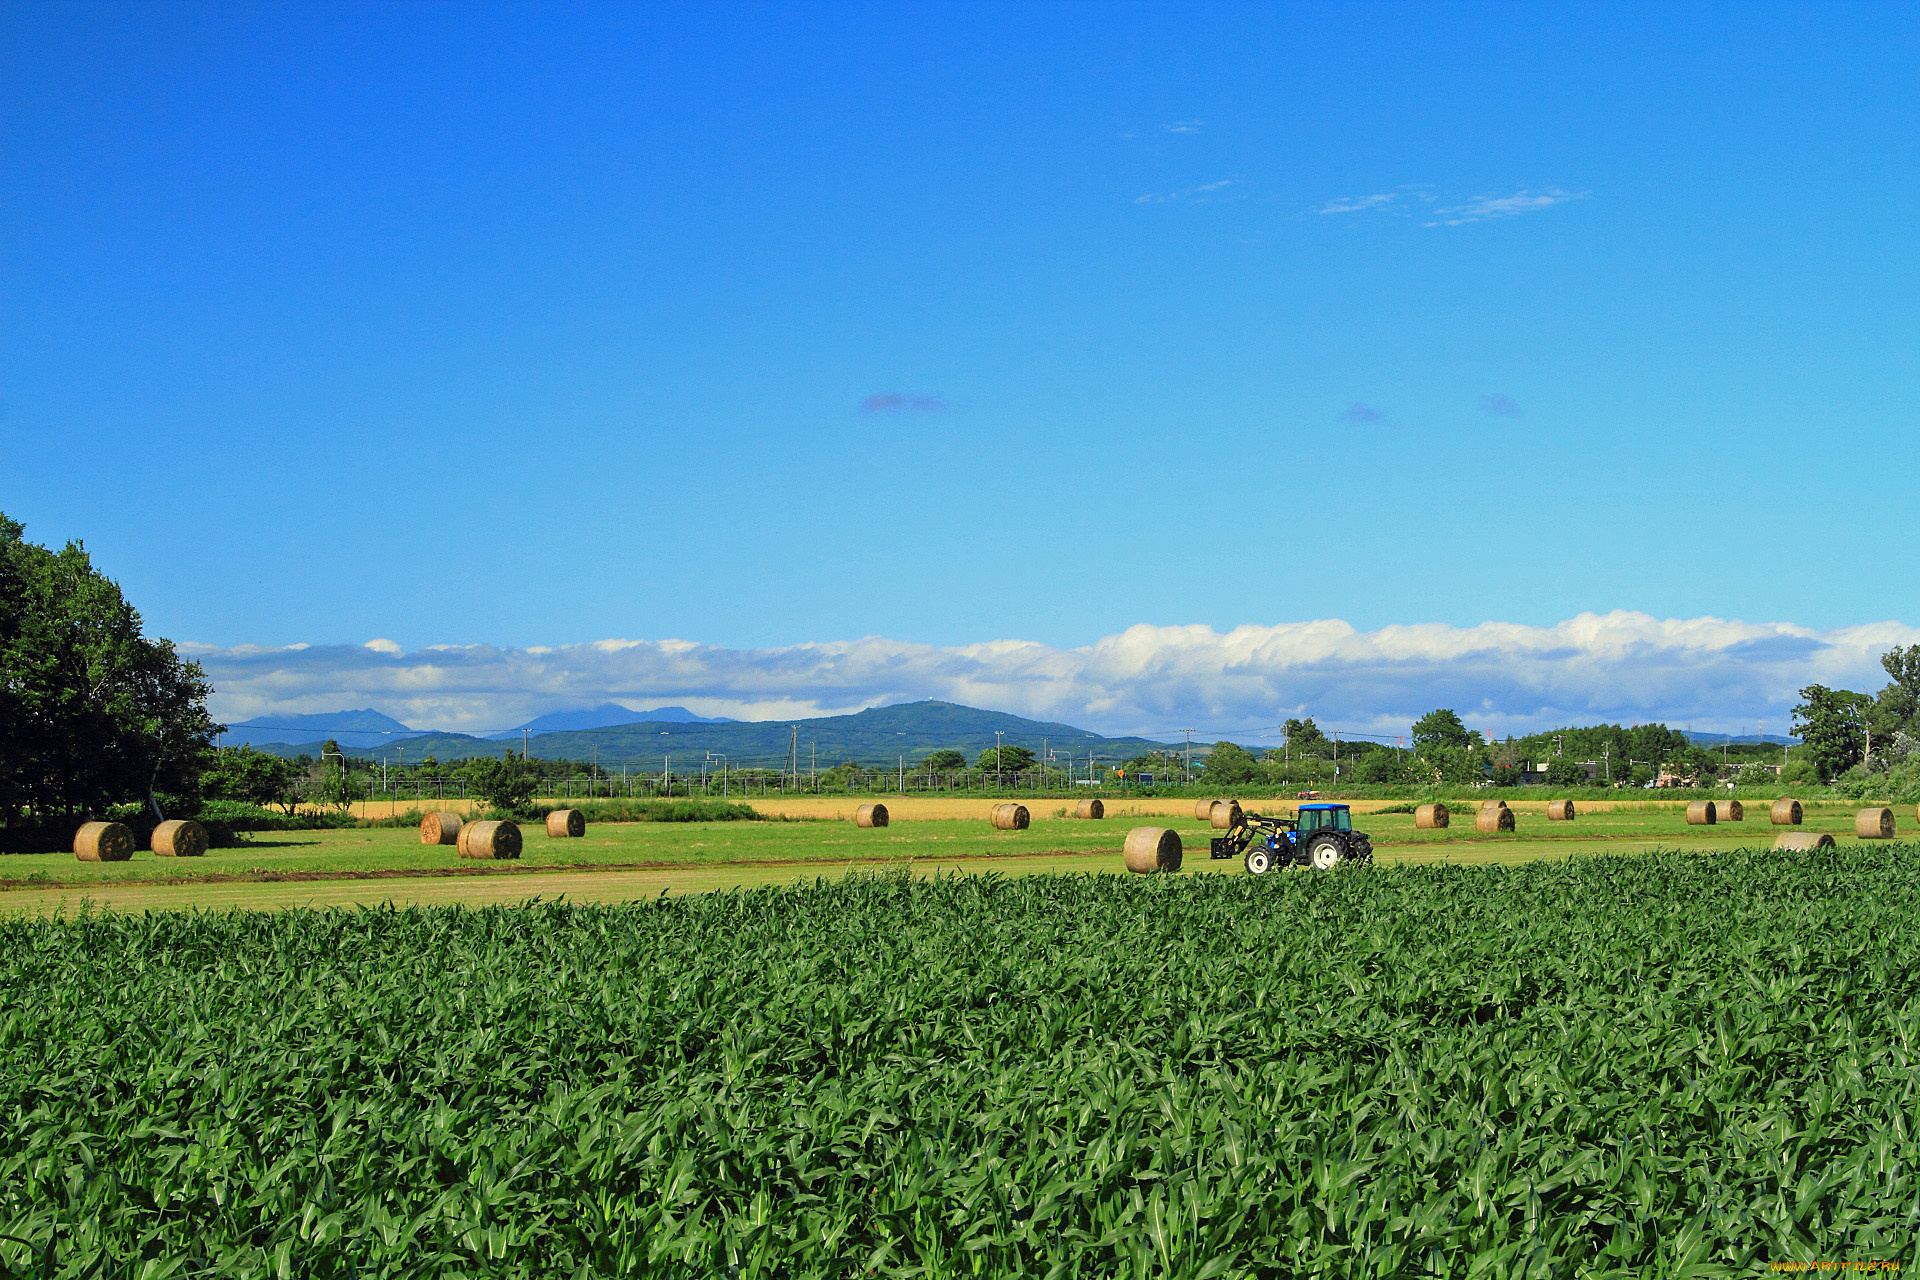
{"x":882,"y":736}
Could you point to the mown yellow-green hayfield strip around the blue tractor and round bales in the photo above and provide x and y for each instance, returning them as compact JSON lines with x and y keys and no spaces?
{"x":619,"y":863}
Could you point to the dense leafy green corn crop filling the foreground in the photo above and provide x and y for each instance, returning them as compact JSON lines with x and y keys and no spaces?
{"x":1677,"y":1066}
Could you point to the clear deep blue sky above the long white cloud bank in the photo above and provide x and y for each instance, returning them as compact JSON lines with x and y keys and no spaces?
{"x":763,"y":327}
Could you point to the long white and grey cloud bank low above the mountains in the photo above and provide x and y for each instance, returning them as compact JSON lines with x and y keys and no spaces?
{"x":1155,"y":680}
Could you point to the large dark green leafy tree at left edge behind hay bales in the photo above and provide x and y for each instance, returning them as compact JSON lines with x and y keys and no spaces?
{"x":93,"y":713}
